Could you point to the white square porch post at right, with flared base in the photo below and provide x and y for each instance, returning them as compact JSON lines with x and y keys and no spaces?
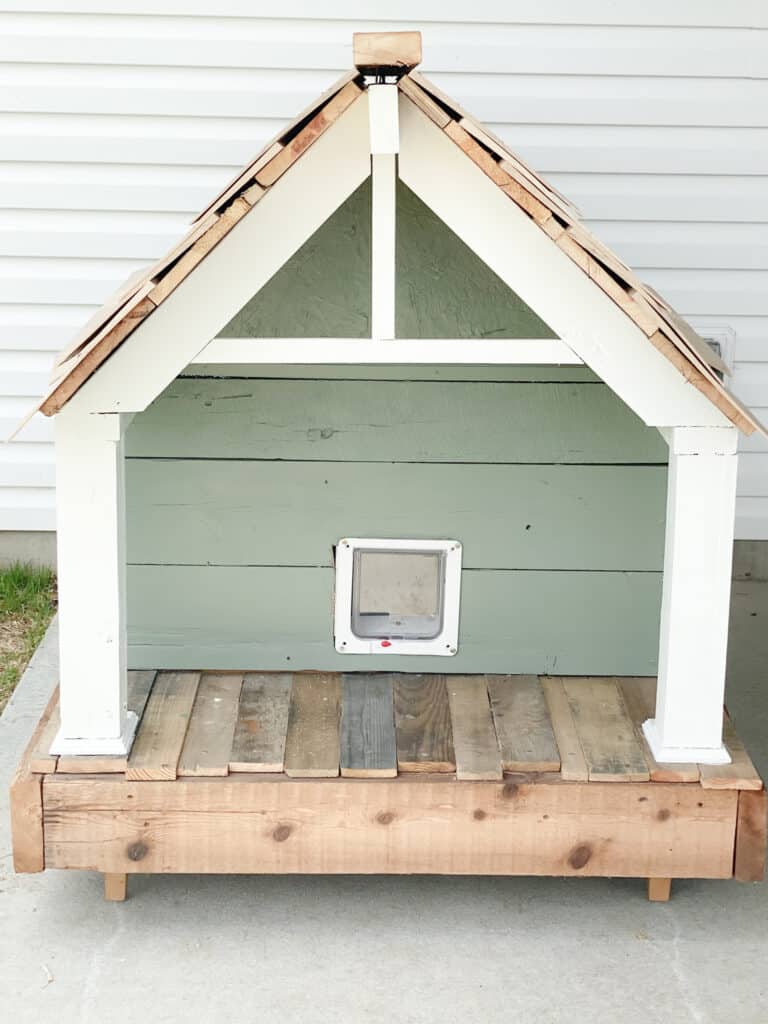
{"x":696,"y":602}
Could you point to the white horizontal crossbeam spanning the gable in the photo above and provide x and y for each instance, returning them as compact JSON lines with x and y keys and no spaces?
{"x":323,"y":352}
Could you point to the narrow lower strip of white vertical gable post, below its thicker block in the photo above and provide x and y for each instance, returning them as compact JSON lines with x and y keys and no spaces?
{"x":383,"y":212}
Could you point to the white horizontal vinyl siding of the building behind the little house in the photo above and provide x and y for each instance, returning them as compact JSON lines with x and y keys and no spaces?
{"x":120,"y":119}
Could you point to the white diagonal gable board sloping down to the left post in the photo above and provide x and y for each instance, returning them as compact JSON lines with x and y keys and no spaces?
{"x":295,"y":207}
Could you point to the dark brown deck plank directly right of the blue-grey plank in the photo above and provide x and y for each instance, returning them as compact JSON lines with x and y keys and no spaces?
{"x":423,"y":732}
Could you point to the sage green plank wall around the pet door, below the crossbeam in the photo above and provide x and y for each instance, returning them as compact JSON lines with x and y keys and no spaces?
{"x":239,"y":487}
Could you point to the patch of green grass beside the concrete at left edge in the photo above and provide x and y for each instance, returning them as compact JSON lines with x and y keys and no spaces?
{"x":28,"y":601}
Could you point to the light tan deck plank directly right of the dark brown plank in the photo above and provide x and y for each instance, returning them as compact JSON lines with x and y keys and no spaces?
{"x":478,"y":755}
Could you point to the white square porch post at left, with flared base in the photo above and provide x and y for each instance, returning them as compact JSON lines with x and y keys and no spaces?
{"x":91,"y":513}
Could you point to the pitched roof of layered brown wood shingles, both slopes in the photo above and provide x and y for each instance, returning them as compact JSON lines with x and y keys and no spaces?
{"x":143,"y":293}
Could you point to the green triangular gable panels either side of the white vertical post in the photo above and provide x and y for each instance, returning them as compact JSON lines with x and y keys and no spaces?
{"x":443,"y":289}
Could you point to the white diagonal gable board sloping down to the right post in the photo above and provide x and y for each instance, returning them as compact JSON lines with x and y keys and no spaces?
{"x":524,"y":257}
